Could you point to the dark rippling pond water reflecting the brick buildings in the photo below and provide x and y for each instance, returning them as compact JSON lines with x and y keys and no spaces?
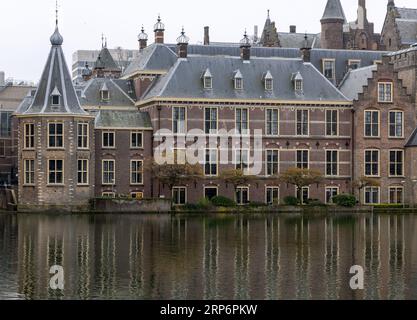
{"x":230,"y":257}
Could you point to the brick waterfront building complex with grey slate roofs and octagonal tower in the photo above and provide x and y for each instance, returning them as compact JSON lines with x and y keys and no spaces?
{"x":289,"y":96}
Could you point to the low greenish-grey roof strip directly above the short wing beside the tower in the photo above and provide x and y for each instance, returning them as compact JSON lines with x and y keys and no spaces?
{"x":123,"y":119}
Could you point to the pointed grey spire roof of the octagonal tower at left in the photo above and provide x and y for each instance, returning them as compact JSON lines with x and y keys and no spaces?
{"x":55,"y":76}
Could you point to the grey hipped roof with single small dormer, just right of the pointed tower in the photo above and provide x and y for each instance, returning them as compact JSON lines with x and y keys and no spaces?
{"x":121,"y":92}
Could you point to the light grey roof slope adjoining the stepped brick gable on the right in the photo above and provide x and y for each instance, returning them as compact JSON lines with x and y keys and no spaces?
{"x":355,"y":80}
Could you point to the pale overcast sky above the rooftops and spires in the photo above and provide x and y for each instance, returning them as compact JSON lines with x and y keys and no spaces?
{"x":26,"y":25}
